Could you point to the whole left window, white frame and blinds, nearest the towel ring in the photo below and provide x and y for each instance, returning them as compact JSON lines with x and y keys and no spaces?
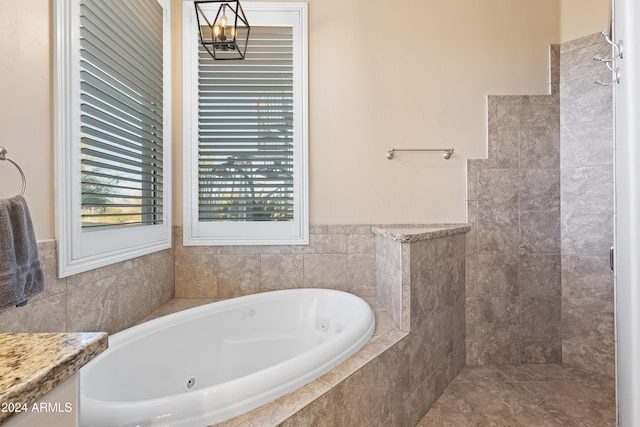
{"x":112,"y":74}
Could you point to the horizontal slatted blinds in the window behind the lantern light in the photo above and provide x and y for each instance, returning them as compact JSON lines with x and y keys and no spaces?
{"x":246,"y":146}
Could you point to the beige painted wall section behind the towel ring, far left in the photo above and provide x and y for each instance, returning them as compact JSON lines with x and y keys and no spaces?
{"x":26,"y":115}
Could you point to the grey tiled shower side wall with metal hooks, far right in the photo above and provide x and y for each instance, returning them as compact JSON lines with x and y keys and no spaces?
{"x":586,"y":173}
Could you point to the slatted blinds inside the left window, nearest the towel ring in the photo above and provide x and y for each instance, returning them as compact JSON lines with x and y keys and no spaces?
{"x":121,"y":112}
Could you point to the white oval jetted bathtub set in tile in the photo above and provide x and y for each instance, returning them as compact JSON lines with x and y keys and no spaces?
{"x":210,"y":363}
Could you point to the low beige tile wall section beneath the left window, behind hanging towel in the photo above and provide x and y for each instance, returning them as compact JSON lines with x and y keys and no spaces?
{"x":107,"y":299}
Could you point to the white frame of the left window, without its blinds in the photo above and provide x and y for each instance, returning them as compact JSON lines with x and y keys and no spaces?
{"x":80,"y":251}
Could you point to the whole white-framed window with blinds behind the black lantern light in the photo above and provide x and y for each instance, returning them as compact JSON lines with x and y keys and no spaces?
{"x":245,"y":139}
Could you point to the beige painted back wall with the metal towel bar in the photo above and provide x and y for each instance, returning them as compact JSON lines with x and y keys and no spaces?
{"x":375,"y":85}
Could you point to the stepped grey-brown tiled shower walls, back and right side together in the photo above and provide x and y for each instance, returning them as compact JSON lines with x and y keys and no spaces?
{"x":539,"y":284}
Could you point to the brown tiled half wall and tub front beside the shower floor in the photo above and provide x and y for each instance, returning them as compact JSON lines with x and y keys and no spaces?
{"x":399,"y":386}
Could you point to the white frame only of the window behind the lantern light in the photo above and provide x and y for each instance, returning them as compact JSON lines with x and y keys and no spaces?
{"x":198,"y":233}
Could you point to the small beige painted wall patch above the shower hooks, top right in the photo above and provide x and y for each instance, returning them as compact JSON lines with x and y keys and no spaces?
{"x":579,"y":18}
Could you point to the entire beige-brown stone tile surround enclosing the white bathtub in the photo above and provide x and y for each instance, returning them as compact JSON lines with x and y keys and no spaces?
{"x":393,"y":380}
